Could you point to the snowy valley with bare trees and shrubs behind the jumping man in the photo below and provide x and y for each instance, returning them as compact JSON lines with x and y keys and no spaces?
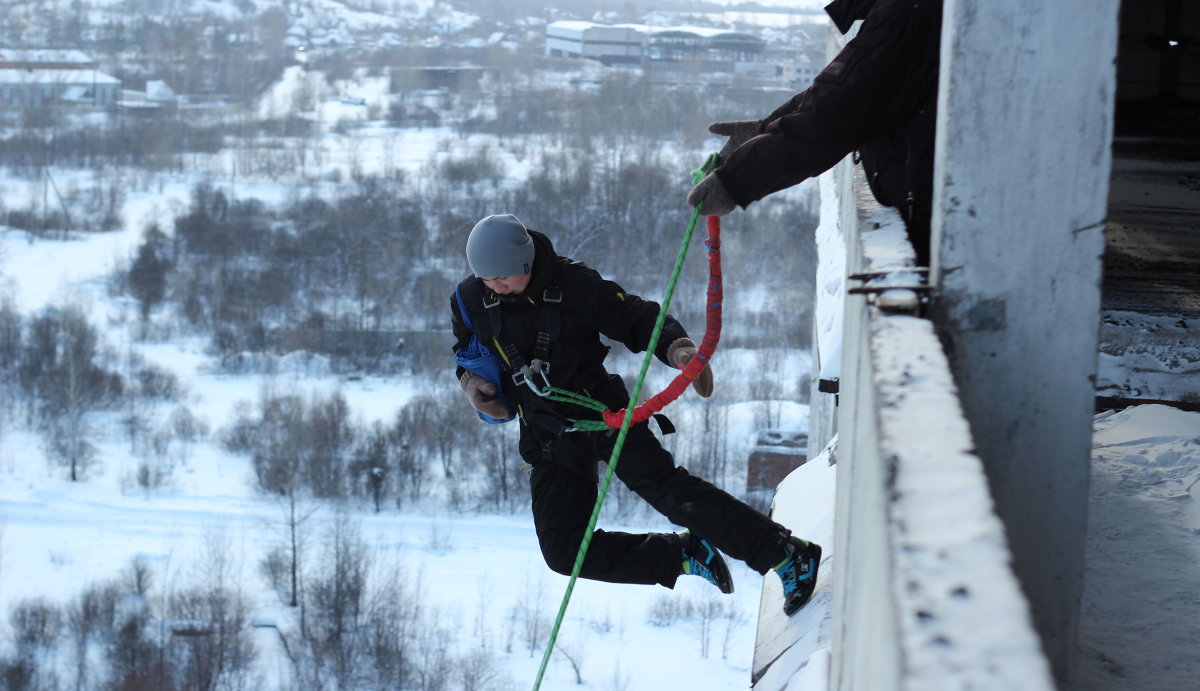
{"x":232,"y":450}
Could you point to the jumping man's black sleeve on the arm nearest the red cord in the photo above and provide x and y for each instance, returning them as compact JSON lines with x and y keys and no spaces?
{"x":628,"y":320}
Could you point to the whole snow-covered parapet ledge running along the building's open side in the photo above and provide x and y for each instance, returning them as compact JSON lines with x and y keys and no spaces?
{"x":923,"y":594}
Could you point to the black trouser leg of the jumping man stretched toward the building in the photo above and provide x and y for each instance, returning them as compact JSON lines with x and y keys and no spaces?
{"x":710,"y":513}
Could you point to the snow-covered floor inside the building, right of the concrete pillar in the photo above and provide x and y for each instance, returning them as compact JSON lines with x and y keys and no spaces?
{"x":1142,"y":599}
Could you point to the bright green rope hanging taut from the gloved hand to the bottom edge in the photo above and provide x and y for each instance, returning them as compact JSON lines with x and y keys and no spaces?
{"x":710,"y":164}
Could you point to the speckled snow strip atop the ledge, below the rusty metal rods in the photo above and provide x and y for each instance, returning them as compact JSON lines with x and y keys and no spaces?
{"x":963,"y":620}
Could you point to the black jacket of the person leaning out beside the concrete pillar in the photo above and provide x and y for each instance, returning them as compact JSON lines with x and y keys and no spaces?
{"x":878,"y":97}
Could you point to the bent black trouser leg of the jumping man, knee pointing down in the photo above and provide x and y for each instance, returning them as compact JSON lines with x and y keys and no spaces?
{"x":562,"y":507}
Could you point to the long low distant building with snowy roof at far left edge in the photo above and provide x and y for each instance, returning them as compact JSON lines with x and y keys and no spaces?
{"x":50,"y":77}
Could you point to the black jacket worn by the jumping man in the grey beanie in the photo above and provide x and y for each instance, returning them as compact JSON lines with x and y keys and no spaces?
{"x":591,"y":307}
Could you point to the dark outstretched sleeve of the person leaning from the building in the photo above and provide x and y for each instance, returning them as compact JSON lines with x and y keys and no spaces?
{"x":847,"y":106}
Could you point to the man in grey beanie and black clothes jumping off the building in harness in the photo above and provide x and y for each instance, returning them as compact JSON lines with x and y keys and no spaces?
{"x":538,"y":317}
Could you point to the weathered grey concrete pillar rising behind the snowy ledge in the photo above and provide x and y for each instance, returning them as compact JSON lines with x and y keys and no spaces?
{"x":1025,"y":122}
